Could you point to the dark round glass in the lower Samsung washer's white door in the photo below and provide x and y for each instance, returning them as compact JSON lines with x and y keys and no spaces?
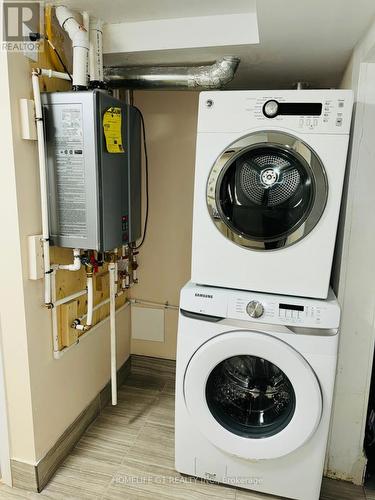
{"x":250,"y":396}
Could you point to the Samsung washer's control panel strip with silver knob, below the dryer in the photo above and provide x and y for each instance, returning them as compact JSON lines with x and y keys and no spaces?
{"x":261,"y":307}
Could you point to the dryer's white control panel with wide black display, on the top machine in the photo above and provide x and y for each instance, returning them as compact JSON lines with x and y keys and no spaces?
{"x":305,"y":111}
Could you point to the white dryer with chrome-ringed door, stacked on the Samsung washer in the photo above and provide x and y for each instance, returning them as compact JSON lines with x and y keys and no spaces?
{"x":268,"y":182}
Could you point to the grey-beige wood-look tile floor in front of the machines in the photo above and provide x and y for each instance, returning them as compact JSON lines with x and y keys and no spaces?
{"x":135,"y":440}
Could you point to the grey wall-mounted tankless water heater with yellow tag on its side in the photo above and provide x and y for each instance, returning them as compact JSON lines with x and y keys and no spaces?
{"x":93,"y":148}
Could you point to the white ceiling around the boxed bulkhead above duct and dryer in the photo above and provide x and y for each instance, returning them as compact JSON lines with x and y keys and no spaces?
{"x":300,"y":40}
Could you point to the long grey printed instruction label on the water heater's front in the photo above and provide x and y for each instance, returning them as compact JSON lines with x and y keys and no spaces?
{"x":70,"y":173}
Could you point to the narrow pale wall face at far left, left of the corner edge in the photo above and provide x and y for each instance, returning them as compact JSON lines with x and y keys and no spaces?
{"x":12,"y":310}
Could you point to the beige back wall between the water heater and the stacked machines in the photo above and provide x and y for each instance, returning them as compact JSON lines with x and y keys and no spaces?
{"x":171,"y":121}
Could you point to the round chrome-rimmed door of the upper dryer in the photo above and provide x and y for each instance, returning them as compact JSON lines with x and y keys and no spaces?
{"x":267,"y":190}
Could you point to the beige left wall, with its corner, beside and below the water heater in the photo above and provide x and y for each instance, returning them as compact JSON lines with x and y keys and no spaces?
{"x":44,"y":395}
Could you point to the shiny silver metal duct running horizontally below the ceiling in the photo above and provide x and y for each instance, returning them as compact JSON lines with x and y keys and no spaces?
{"x":180,"y":77}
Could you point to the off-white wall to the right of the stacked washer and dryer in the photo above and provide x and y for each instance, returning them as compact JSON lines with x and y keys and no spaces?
{"x":354,"y":275}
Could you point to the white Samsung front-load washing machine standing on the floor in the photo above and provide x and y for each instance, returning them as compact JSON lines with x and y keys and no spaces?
{"x":254,"y":384}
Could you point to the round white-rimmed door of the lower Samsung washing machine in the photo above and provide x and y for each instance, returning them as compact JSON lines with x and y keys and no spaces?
{"x":252,"y":395}
